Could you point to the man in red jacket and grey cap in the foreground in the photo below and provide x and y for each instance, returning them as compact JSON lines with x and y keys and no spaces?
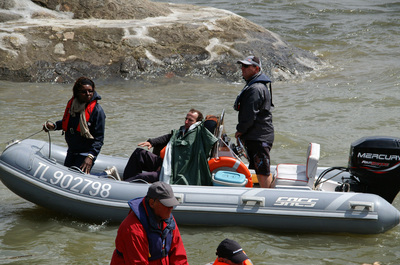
{"x":149,"y":234}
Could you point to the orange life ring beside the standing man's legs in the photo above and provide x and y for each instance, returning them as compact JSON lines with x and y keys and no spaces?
{"x":230,"y":162}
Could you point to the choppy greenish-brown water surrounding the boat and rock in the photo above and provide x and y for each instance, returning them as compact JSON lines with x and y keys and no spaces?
{"x":357,"y":96}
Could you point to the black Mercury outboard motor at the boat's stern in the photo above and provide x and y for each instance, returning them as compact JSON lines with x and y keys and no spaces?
{"x":374,"y":163}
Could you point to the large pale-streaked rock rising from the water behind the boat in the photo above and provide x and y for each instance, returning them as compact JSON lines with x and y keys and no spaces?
{"x":59,"y":41}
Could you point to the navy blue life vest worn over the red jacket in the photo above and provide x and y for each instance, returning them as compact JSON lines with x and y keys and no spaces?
{"x":158,"y":247}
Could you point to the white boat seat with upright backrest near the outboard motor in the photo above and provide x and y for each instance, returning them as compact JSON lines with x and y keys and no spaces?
{"x":299,"y":174}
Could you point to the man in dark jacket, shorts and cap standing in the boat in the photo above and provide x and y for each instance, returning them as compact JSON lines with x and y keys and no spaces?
{"x":255,"y":128}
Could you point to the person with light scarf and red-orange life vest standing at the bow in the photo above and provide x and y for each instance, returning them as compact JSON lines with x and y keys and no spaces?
{"x":83,"y":124}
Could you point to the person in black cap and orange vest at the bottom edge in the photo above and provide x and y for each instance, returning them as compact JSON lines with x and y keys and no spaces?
{"x":229,"y":252}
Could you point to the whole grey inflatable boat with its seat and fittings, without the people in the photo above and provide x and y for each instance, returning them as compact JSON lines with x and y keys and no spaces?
{"x":305,"y":198}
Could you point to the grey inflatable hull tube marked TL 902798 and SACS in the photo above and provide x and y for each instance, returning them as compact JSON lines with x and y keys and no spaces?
{"x":28,"y":172}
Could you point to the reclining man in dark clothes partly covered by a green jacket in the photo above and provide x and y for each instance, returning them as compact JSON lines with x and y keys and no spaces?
{"x":189,"y":142}
